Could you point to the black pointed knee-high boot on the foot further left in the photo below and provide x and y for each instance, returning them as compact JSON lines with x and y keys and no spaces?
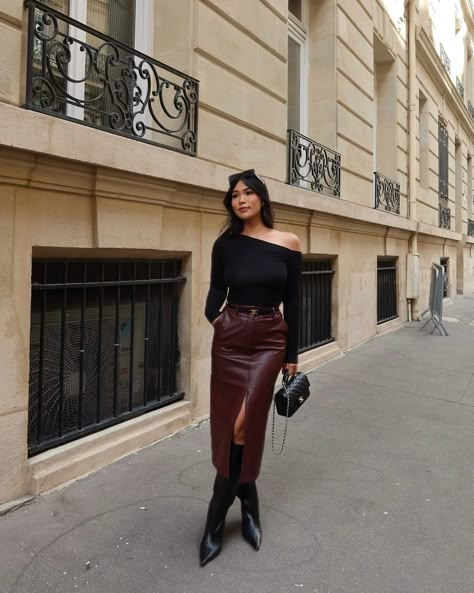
{"x":224,"y":494}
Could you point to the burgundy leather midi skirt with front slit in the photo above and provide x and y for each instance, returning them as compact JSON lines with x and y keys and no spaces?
{"x":248,"y":352}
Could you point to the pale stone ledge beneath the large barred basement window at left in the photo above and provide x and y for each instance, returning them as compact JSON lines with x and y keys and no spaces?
{"x":74,"y":460}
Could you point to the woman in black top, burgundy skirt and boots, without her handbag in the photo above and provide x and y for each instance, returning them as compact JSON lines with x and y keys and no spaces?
{"x":254,"y":268}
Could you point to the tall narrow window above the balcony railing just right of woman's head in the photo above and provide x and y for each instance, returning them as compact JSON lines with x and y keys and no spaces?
{"x":297,"y":72}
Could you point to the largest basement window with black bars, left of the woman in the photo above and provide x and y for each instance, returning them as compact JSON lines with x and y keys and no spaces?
{"x":103,"y":345}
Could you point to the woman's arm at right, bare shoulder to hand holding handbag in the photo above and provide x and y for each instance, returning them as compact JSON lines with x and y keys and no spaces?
{"x":292,"y":303}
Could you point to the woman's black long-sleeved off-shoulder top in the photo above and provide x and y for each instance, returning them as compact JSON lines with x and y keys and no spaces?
{"x":250,"y":271}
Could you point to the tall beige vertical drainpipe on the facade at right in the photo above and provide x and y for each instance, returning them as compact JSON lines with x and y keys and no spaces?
{"x":413,"y":241}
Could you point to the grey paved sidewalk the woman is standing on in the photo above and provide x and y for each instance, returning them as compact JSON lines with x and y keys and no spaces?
{"x":373,"y":494}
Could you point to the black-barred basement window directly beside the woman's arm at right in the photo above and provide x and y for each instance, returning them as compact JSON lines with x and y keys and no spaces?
{"x":316,"y":304}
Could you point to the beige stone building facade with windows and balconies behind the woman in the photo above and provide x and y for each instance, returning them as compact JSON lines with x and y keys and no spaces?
{"x":113,"y":165}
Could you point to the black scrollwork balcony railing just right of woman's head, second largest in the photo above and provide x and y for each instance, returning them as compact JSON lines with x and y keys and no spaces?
{"x":313,"y":166}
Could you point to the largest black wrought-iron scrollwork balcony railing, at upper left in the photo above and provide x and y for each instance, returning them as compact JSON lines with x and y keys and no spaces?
{"x":77,"y":73}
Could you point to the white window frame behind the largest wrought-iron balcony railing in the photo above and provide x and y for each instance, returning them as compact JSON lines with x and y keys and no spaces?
{"x":143,"y":42}
